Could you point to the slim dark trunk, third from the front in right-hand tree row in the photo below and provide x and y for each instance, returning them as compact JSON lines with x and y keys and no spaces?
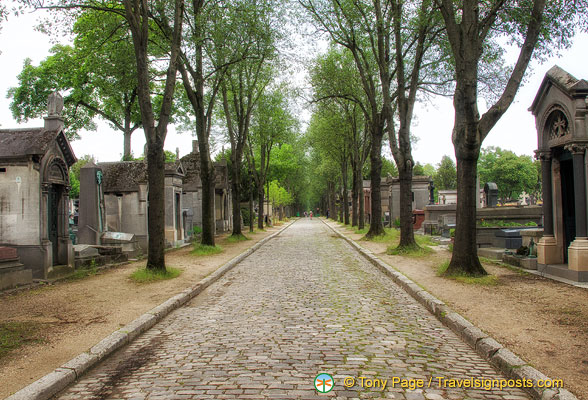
{"x":376,"y":226}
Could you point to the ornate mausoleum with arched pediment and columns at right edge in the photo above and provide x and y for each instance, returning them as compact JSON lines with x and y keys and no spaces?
{"x":561,"y":118}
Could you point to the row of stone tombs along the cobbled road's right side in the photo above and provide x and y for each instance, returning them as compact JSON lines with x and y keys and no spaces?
{"x":551,"y":238}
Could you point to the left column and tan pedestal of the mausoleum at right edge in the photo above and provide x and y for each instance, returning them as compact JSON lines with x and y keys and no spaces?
{"x":547,"y":246}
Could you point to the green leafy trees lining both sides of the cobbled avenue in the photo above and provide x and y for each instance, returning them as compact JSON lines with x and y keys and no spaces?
{"x":217,"y":68}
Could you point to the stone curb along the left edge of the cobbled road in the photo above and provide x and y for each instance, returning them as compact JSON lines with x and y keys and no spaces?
{"x":54,"y":382}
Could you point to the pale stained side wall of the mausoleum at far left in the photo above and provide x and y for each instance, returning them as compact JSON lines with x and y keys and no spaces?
{"x":19,"y":205}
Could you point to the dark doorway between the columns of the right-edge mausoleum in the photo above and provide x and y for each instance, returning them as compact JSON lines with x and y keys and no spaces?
{"x":568,"y":204}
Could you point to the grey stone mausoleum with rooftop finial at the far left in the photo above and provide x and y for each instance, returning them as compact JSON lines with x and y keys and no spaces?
{"x":34,"y":192}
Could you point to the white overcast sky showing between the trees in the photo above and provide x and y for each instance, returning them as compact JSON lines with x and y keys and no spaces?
{"x":433,"y":122}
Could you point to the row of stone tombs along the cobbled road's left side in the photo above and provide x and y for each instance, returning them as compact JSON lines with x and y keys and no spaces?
{"x":36,"y":213}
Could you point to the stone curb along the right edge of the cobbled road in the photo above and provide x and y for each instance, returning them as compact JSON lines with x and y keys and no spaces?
{"x":498,"y":355}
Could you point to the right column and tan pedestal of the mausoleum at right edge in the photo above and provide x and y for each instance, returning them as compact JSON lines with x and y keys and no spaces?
{"x":578,"y":250}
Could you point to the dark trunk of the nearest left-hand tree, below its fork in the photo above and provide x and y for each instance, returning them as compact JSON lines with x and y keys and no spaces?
{"x":156,"y":209}
